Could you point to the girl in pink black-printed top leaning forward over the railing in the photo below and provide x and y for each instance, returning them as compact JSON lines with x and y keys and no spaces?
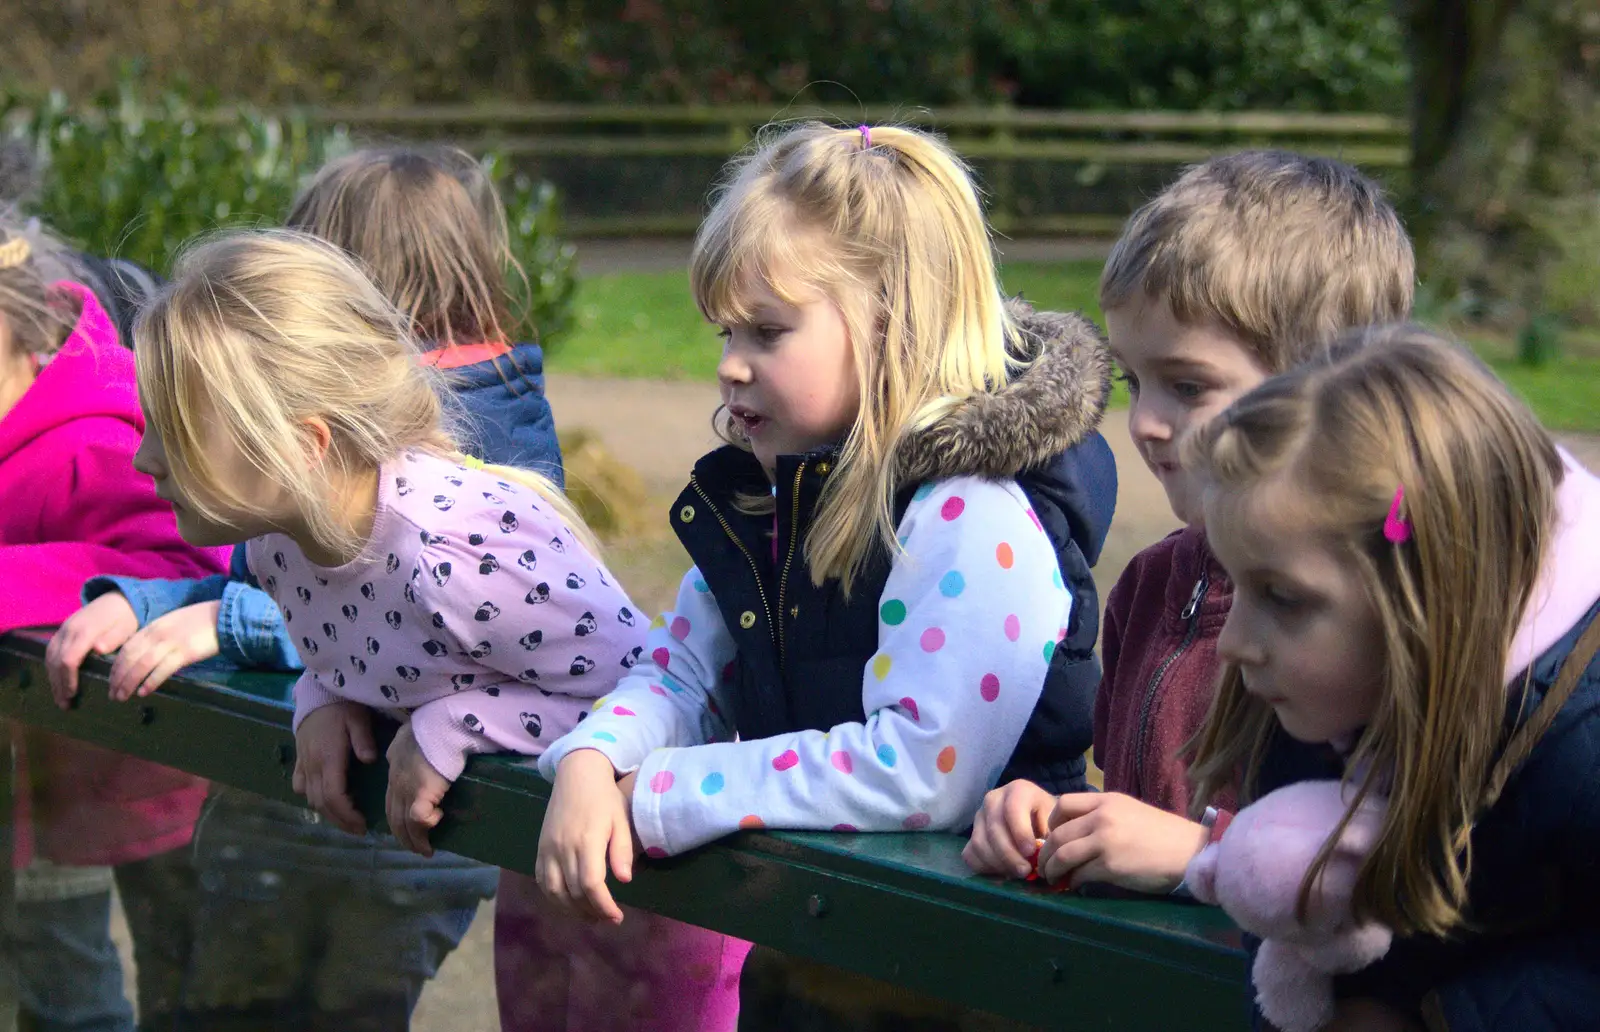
{"x":287,"y":409}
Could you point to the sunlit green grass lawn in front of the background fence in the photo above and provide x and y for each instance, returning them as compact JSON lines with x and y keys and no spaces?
{"x":646,"y":326}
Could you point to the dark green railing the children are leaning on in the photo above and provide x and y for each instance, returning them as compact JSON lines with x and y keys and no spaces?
{"x":898,"y":908}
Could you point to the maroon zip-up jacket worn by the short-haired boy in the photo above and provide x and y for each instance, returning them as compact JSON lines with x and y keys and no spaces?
{"x":1161,"y":668}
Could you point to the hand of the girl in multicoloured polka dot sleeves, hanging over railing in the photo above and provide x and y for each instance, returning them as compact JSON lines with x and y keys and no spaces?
{"x":586,"y":825}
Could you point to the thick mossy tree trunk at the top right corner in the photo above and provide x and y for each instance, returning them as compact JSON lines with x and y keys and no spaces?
{"x":1506,"y":156}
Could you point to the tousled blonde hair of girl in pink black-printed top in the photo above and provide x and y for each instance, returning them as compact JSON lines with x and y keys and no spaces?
{"x":262,"y":330}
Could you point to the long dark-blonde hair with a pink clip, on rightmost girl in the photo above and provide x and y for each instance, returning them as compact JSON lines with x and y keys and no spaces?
{"x":1386,"y":409}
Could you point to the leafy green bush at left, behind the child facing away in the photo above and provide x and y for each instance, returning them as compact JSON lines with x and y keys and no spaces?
{"x":134,"y":178}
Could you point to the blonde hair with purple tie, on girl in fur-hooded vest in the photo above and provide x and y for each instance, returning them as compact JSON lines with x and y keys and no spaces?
{"x":886,"y":223}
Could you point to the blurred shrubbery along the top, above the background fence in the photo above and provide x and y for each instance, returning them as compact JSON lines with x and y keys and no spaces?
{"x":1338,"y":55}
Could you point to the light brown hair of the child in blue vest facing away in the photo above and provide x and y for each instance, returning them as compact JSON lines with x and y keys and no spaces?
{"x":431,"y":231}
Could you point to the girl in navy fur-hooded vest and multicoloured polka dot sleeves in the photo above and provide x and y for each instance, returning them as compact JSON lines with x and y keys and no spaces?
{"x":892,"y":602}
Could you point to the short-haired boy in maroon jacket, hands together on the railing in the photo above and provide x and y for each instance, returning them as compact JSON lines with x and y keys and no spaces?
{"x":1241,"y":270}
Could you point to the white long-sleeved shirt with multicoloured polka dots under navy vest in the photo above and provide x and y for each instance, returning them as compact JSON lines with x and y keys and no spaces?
{"x":967,"y":626}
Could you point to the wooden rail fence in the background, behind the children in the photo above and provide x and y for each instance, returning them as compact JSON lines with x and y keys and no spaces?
{"x":578,"y":145}
